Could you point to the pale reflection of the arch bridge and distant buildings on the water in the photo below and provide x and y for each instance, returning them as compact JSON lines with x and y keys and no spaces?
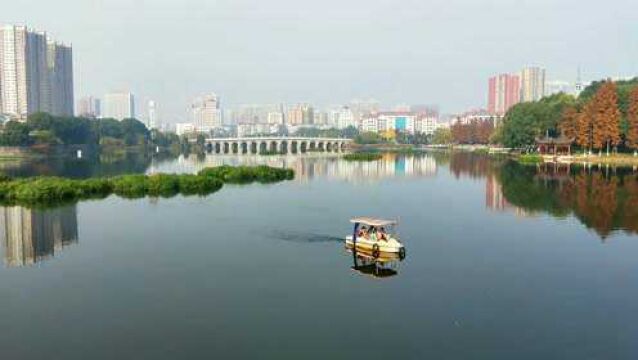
{"x":319,"y":165}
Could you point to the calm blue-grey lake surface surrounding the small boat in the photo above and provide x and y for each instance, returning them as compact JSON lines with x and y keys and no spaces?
{"x":504,"y":262}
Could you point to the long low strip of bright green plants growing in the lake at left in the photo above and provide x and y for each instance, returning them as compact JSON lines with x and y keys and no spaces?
{"x":55,"y":190}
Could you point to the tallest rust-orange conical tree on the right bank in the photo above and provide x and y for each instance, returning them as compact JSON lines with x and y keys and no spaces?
{"x":606,"y":120}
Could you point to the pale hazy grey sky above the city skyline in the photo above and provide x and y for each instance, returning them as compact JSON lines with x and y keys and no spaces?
{"x":330,"y":51}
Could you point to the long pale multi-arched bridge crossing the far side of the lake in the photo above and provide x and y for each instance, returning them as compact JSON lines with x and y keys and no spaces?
{"x":274,"y":144}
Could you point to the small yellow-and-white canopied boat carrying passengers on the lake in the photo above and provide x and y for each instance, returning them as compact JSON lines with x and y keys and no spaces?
{"x":375,"y":237}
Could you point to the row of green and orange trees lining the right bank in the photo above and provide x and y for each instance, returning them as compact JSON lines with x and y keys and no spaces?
{"x":603,"y":117}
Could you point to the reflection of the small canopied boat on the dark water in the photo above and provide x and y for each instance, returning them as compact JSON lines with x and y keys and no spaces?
{"x":379,"y":267}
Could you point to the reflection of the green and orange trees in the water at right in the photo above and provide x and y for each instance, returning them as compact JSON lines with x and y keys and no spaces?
{"x":604,"y":199}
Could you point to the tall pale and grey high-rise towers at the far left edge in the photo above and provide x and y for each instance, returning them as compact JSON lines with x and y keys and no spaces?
{"x":36,"y":73}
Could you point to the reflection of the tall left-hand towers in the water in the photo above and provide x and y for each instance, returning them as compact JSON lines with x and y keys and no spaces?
{"x":30,"y":236}
